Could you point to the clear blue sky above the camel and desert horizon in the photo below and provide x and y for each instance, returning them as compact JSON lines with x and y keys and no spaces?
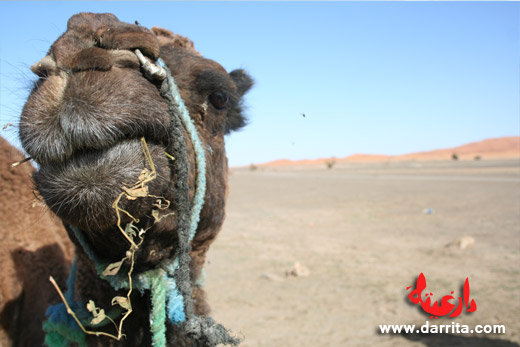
{"x":370,"y":77}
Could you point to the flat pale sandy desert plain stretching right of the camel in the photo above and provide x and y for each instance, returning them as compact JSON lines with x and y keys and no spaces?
{"x":354,"y":237}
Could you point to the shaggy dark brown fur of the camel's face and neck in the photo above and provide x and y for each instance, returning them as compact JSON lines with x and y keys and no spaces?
{"x":82,"y":124}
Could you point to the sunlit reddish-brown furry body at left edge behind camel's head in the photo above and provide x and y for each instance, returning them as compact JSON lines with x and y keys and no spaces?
{"x":34,"y":245}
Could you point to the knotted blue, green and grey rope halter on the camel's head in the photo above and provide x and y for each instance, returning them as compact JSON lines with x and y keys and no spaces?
{"x":169,"y":283}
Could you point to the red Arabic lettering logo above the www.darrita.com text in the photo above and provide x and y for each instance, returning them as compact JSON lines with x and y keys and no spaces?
{"x":445,"y":307}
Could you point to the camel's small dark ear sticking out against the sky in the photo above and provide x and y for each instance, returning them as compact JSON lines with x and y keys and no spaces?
{"x":235,"y":117}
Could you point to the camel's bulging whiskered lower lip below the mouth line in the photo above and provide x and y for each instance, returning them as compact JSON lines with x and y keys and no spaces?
{"x":82,"y":189}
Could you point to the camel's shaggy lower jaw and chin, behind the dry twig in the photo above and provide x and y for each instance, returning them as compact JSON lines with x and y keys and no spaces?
{"x":83,"y":189}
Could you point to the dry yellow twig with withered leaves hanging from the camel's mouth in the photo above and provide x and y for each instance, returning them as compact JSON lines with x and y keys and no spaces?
{"x":135,"y":237}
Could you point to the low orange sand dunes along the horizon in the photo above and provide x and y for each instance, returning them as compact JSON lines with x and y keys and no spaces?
{"x":497,"y":148}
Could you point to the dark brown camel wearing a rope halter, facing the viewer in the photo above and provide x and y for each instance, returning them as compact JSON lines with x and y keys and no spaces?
{"x":127,"y":128}
